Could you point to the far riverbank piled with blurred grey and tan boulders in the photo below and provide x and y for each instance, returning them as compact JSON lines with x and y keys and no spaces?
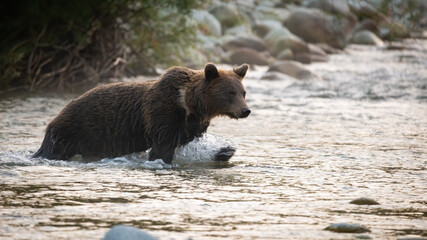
{"x":285,"y":35}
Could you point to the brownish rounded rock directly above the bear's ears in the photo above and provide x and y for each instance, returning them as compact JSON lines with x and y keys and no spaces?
{"x":247,"y":55}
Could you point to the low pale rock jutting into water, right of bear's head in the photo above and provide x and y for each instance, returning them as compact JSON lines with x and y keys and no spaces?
{"x":293,"y":69}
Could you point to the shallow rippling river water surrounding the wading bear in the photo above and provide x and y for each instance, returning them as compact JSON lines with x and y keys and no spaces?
{"x":304,"y":153}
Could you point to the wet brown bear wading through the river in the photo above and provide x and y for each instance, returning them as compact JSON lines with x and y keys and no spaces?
{"x":122,"y":118}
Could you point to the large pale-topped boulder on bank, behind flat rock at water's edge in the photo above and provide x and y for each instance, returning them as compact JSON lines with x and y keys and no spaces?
{"x":280,"y":39}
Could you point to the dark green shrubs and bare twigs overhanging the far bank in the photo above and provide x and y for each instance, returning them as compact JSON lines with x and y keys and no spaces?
{"x":62,"y":44}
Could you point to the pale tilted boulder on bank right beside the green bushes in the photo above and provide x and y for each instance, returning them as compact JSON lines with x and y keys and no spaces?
{"x":206,"y":22}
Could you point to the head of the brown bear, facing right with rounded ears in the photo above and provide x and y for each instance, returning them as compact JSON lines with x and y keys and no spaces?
{"x":225,"y":94}
